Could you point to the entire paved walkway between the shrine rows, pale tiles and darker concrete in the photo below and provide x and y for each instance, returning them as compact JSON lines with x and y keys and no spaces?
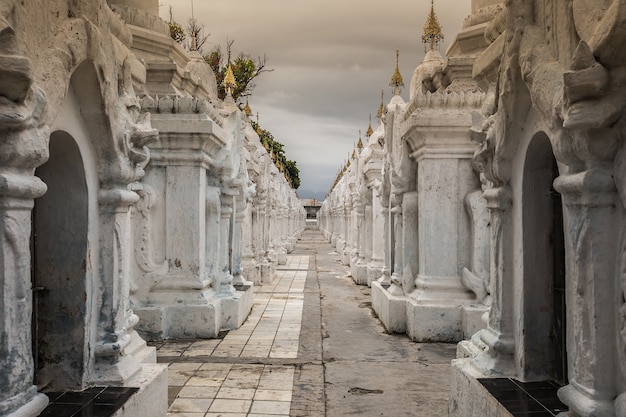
{"x":312,"y":346}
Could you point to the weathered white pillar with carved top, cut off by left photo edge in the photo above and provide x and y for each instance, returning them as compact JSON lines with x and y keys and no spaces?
{"x":23,"y":147}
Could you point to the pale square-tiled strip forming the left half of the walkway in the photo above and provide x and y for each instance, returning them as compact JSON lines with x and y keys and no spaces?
{"x":236,"y":375}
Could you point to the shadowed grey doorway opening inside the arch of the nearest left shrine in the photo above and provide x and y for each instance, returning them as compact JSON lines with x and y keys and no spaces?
{"x":59,"y":262}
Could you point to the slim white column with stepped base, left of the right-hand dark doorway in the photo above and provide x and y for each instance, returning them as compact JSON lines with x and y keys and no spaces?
{"x":499,"y":334}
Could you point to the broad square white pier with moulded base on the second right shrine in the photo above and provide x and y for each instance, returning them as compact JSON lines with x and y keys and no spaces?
{"x":441,"y":148}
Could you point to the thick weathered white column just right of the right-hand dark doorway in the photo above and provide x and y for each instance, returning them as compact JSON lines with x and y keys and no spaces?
{"x":590,"y":201}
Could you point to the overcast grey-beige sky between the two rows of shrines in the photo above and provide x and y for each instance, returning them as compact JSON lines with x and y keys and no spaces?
{"x":331,"y":59}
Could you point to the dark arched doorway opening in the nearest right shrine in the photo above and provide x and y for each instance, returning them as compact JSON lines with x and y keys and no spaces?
{"x":543,"y":307}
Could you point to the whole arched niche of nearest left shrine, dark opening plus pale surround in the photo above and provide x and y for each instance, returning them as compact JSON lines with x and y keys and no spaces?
{"x":66,"y":220}
